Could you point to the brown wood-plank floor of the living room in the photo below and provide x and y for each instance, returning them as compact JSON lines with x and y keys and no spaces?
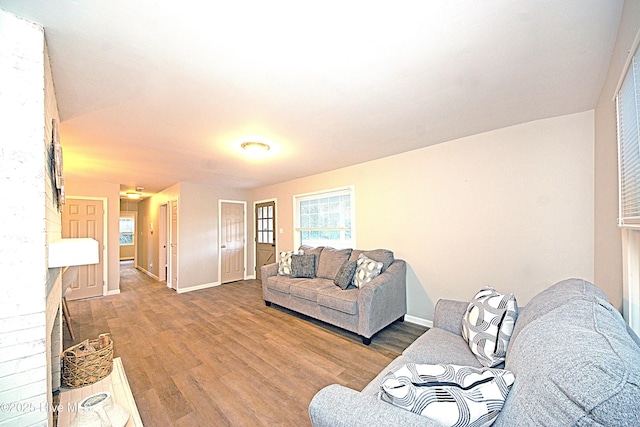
{"x":220,"y":357}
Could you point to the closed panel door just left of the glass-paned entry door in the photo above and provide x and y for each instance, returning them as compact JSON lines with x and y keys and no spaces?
{"x":232,"y":247}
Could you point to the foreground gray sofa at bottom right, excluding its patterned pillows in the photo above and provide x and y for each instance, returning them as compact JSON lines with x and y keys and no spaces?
{"x":575,"y":361}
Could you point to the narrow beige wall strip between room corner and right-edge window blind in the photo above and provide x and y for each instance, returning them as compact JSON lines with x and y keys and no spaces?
{"x":608,"y":238}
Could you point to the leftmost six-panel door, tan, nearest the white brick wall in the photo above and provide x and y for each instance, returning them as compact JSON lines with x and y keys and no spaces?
{"x":85,"y":218}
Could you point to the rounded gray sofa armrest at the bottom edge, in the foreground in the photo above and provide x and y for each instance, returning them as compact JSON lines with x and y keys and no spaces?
{"x":338,"y":406}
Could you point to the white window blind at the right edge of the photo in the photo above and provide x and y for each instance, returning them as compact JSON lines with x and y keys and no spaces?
{"x":627,"y":105}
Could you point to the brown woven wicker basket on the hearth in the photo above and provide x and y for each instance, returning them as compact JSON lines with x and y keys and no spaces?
{"x":88,"y":362}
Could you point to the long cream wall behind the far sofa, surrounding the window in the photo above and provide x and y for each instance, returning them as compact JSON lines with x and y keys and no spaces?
{"x":511,"y":208}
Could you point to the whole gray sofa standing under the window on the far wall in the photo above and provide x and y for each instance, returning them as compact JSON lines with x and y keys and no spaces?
{"x":364,"y":310}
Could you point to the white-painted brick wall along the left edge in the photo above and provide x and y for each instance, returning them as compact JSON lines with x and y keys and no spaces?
{"x":27,"y":222}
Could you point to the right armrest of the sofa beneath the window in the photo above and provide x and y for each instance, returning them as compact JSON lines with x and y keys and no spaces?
{"x":383,"y":300}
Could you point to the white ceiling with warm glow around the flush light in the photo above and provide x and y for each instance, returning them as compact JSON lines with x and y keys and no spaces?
{"x":154,"y":92}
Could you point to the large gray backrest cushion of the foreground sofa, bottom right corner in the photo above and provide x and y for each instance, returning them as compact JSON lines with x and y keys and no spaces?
{"x":575,"y":365}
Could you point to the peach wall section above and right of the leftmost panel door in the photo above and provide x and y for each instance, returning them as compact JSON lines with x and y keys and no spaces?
{"x":110,"y":191}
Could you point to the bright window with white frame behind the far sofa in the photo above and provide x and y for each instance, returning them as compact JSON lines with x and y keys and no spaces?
{"x":325,"y":218}
